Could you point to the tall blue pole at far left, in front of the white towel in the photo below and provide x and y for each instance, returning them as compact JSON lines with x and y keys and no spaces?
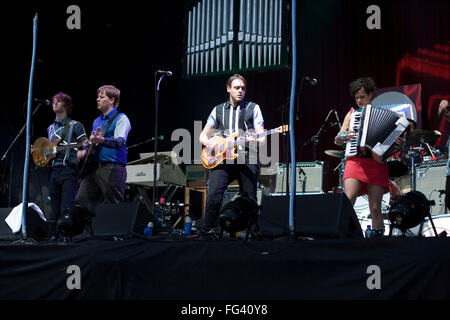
{"x":27,"y":147}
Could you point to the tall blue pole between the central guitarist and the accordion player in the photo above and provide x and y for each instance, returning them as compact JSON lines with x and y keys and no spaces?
{"x":291,"y":117}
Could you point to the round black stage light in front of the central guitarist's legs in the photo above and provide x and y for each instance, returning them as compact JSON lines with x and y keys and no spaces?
{"x":238,"y":215}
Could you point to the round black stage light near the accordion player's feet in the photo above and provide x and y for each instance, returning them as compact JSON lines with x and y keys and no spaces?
{"x":409,"y":211}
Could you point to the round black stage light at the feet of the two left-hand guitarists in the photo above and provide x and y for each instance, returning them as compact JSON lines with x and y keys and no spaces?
{"x":73,"y":221}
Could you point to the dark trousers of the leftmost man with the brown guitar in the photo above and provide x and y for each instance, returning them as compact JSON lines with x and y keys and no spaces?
{"x":63,"y":185}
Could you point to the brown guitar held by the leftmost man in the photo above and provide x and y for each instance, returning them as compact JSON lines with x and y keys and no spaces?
{"x":44,"y":151}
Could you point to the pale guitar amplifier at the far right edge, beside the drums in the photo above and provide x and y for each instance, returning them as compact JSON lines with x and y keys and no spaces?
{"x":430,"y":180}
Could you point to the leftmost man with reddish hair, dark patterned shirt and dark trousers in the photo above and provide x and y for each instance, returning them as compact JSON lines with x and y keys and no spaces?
{"x":63,"y":183}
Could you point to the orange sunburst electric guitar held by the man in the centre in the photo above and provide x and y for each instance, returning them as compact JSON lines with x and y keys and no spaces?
{"x":226,"y":147}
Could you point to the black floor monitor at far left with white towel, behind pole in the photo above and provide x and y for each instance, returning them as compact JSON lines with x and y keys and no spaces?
{"x":37,"y":228}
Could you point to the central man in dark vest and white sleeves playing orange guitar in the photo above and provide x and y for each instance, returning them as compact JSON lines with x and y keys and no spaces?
{"x":227,"y":119}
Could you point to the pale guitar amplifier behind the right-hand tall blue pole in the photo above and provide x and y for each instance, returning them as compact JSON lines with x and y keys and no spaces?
{"x":312,"y":177}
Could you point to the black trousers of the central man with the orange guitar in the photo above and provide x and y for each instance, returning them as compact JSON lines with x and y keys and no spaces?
{"x":219,"y":179}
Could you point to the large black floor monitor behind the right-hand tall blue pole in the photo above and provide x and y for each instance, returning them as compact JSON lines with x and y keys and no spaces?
{"x":318,"y":216}
